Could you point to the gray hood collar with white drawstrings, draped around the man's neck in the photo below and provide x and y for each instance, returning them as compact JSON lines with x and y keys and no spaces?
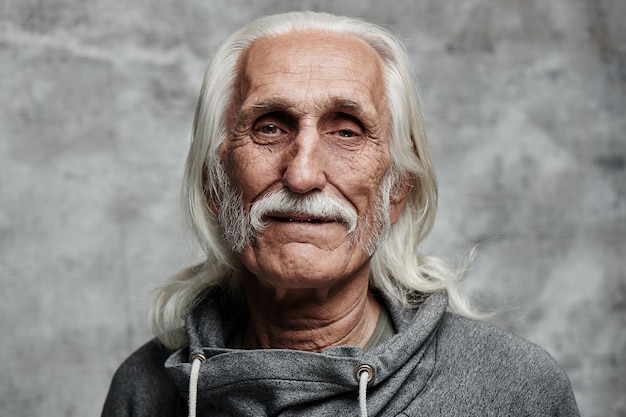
{"x":233,"y":382}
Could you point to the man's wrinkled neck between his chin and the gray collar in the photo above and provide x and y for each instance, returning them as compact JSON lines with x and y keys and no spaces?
{"x":311,"y":319}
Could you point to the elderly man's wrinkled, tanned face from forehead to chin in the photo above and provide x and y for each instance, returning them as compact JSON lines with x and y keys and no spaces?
{"x":311,"y":120}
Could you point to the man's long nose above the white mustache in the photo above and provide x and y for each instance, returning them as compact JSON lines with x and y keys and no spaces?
{"x":304,"y":171}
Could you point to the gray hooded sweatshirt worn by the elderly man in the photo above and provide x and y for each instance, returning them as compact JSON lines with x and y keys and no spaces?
{"x":437,"y":364}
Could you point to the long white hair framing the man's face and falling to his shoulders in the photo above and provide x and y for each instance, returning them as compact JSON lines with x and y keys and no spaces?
{"x":398,"y":270}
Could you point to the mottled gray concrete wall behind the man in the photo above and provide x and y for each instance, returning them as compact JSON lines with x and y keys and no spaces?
{"x":526,"y":105}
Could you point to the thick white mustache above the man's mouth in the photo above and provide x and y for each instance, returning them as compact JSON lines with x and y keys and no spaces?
{"x":316,"y":205}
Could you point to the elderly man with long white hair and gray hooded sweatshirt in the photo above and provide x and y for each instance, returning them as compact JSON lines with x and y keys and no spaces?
{"x":309,"y":185}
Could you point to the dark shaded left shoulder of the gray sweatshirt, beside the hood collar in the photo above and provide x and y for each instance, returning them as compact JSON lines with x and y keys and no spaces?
{"x":141,"y":387}
